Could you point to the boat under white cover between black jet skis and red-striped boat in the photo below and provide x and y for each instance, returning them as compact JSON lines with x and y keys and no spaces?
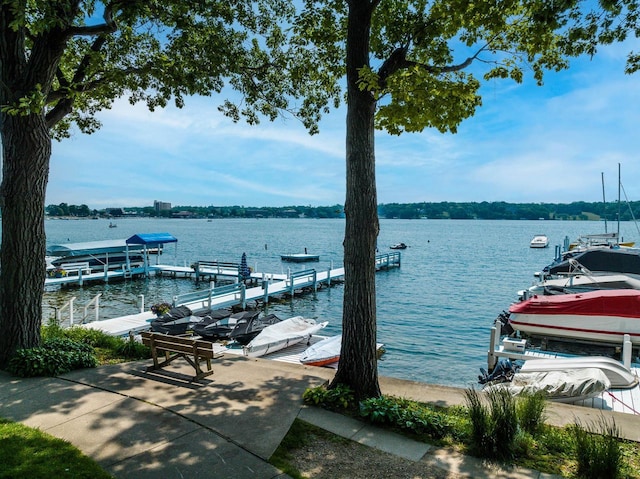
{"x":281,"y":335}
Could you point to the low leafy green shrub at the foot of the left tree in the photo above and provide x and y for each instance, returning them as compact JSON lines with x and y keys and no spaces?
{"x":56,"y":356}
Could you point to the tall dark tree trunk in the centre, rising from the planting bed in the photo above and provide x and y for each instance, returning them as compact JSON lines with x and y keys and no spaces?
{"x":358,"y":363}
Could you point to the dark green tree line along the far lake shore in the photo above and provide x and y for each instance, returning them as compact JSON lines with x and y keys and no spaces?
{"x":576,"y":211}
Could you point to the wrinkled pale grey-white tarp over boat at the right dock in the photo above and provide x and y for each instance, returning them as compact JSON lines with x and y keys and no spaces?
{"x":567,"y":385}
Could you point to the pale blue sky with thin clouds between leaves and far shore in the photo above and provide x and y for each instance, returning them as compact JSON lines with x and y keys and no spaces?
{"x":525,"y":144}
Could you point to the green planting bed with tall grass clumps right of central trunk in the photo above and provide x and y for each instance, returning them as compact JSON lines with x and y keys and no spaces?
{"x":499,"y":427}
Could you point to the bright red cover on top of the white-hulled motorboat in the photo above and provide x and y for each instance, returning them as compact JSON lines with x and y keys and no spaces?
{"x":620,"y":303}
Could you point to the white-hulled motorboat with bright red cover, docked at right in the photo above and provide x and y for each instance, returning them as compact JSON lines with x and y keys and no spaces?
{"x":602,"y":316}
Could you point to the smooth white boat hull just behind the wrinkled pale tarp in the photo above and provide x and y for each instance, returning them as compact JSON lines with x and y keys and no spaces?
{"x":619,"y":376}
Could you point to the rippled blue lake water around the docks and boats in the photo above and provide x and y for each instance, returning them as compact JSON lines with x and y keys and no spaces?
{"x":434,"y":313}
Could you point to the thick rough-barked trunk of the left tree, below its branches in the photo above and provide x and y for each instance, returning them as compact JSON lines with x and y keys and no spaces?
{"x":26,"y":146}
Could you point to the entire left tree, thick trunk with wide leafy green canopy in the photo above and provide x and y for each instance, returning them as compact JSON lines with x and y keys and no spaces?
{"x":62,"y":61}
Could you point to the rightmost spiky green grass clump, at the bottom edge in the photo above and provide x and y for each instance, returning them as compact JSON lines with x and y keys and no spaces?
{"x":598,"y":455}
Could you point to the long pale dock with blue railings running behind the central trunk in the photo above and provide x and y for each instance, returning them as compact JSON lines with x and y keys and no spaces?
{"x":238,"y":294}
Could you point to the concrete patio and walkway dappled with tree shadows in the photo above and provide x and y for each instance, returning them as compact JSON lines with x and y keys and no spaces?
{"x":139,"y":424}
